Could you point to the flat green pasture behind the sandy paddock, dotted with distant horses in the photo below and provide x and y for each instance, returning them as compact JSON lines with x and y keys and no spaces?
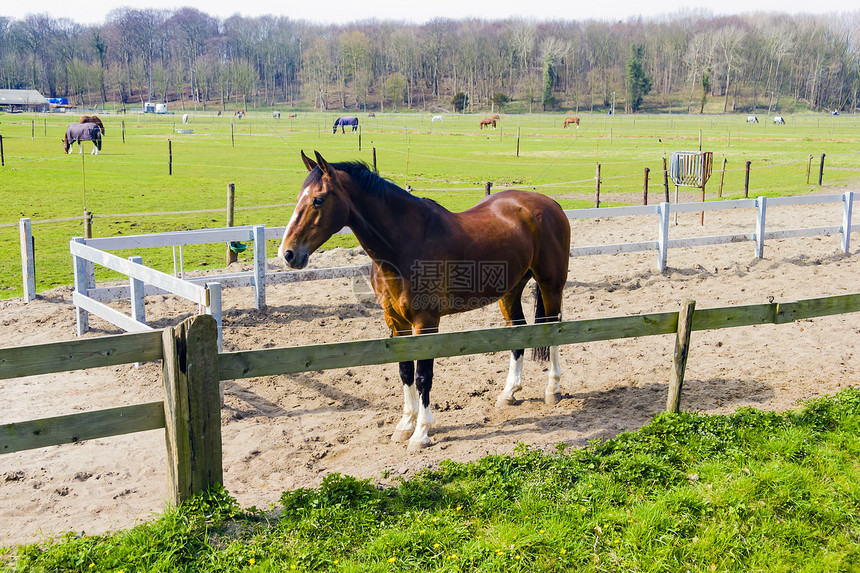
{"x":129,"y":188}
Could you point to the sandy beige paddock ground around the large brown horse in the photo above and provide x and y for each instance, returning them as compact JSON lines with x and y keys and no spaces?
{"x":285,"y":432}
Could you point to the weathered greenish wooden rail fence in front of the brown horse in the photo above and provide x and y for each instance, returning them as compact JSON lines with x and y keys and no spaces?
{"x":193,"y":369}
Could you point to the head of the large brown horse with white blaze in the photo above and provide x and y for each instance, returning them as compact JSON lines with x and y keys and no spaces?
{"x":322,"y":209}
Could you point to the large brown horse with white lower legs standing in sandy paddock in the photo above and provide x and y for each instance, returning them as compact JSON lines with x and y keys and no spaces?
{"x":428,"y":262}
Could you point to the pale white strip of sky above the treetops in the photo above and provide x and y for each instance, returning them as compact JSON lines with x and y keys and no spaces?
{"x":346,"y":11}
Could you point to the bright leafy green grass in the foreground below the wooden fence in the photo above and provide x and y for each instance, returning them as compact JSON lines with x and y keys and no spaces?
{"x":754,"y":491}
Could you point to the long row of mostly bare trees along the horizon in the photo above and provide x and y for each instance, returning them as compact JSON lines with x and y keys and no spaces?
{"x":737,"y":63}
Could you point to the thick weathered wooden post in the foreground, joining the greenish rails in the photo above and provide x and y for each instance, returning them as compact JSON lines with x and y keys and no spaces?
{"x":192,"y":408}
